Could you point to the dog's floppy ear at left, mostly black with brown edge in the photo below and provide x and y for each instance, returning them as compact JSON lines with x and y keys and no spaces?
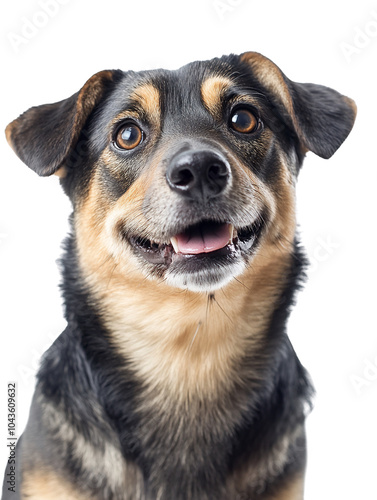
{"x":43,"y":136}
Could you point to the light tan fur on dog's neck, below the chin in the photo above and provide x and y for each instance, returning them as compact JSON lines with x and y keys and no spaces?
{"x":183,"y":341}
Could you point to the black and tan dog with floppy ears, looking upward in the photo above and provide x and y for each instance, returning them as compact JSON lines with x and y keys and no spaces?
{"x":175,"y":378}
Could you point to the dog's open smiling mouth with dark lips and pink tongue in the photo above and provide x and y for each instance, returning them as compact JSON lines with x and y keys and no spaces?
{"x":207,"y":242}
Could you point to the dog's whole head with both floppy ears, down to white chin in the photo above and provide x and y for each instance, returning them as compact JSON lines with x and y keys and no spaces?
{"x":184,"y":176}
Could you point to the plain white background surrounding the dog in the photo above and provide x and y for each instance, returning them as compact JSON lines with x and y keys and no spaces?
{"x":333,"y":326}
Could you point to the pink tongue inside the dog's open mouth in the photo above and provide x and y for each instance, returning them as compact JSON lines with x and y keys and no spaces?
{"x":204,"y":238}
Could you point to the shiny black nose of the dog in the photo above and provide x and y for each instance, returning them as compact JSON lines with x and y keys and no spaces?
{"x":199,"y":175}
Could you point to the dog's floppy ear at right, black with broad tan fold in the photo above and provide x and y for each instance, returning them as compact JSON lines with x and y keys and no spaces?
{"x":321,"y":117}
